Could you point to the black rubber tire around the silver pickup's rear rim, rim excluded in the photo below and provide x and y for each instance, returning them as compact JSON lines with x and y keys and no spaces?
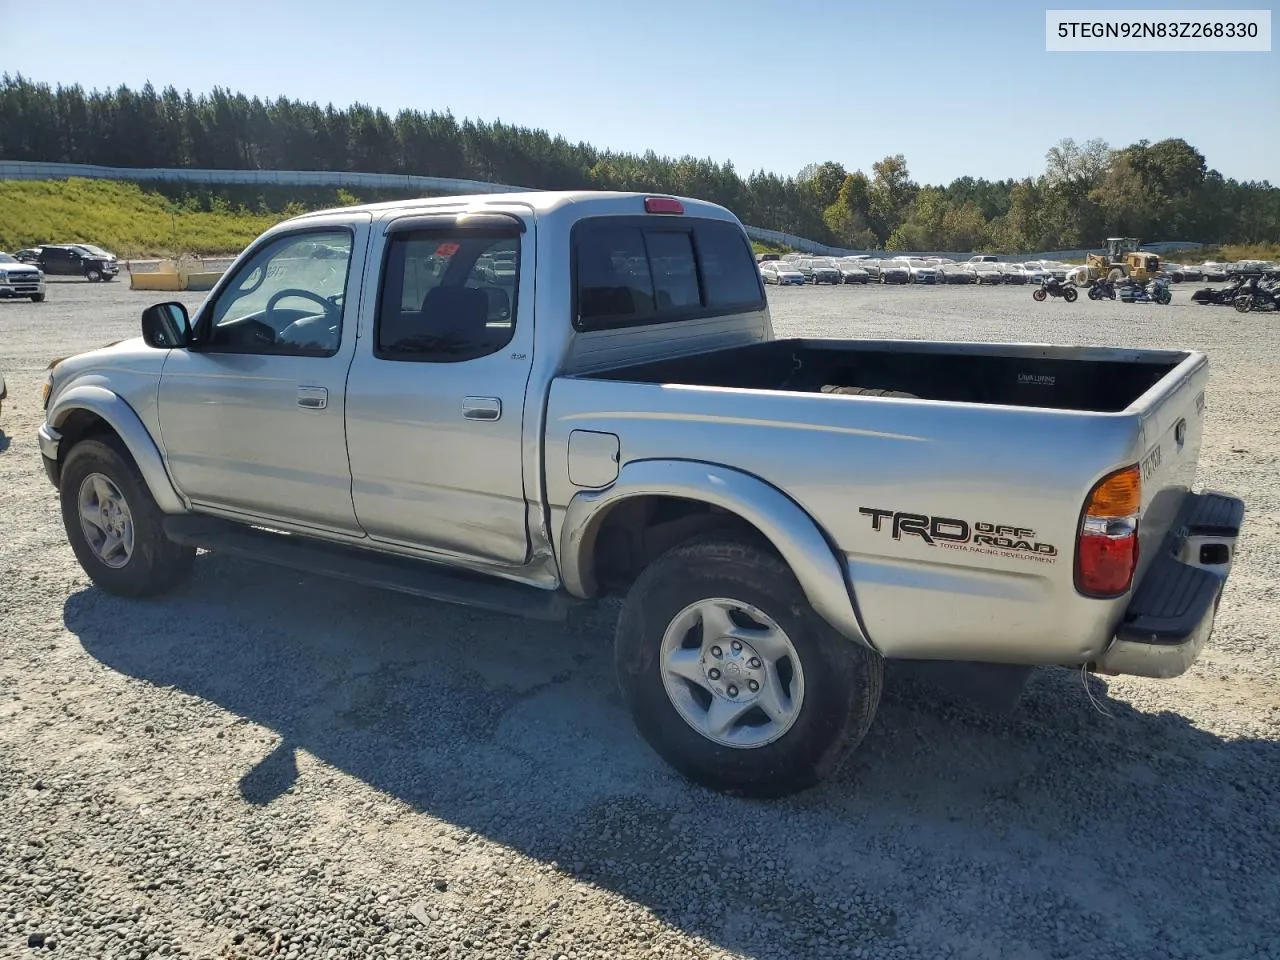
{"x":842,"y":679}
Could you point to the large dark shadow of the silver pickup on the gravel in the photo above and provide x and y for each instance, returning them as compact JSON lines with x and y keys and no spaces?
{"x":1132,"y":826}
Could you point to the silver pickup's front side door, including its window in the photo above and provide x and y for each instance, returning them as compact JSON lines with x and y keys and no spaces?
{"x":253,"y":415}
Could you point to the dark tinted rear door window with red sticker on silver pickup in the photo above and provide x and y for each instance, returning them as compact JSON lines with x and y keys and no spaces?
{"x":449,"y":296}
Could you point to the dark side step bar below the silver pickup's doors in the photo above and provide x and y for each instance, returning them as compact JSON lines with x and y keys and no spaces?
{"x":382,"y":570}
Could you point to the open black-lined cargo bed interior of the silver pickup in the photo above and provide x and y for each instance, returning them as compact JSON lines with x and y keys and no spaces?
{"x":1094,"y":380}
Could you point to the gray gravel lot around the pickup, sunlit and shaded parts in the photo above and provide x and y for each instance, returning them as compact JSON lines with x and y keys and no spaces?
{"x":268,"y":765}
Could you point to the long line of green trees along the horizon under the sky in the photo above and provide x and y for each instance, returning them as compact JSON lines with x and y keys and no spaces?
{"x":1153,"y":191}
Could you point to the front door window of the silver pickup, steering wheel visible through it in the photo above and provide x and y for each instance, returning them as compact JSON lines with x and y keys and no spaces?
{"x":286,"y":300}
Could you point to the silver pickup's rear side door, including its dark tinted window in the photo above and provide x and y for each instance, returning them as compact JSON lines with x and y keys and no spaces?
{"x":436,"y":404}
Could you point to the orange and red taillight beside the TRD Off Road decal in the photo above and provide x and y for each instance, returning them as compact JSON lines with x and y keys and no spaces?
{"x":1107,"y":551}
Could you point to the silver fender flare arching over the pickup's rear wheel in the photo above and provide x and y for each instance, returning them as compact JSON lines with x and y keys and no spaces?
{"x":784,"y":523}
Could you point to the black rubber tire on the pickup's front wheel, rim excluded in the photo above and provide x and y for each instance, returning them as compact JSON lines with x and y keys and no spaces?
{"x":157,"y":564}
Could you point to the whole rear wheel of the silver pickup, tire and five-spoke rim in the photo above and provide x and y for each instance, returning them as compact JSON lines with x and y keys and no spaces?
{"x":733,"y":679}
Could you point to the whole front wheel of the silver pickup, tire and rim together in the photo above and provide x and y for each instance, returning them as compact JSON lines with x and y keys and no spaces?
{"x":115,"y":525}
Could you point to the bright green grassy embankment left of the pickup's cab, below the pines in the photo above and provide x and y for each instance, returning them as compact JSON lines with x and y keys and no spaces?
{"x":125,"y":220}
